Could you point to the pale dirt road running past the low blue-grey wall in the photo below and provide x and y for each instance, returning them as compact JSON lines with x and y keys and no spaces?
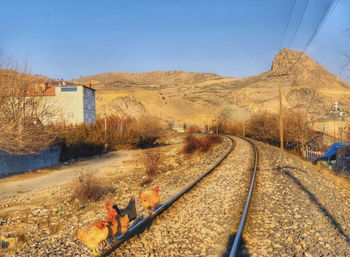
{"x":62,"y":174}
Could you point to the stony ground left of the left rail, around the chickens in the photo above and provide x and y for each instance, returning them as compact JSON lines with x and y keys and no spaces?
{"x":52,"y":228}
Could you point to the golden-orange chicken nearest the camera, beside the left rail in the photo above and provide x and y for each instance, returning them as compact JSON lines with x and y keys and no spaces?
{"x":95,"y":233}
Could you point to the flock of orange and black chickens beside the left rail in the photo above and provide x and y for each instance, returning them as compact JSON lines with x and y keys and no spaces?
{"x":117,"y":221}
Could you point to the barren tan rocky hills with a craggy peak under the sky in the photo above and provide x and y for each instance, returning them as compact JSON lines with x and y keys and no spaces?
{"x":178,"y":97}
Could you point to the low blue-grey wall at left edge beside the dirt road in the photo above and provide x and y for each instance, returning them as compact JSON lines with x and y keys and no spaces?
{"x":10,"y":163}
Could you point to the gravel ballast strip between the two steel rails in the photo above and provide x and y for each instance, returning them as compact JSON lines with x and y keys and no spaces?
{"x":200,"y":223}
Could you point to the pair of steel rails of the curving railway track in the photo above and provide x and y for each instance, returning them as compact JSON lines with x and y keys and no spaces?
{"x":140,"y":226}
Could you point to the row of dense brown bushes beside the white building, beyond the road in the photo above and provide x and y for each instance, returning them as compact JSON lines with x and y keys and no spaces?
{"x":110,"y":133}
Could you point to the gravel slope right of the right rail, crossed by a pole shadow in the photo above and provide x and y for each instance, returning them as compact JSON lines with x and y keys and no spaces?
{"x":295,"y":211}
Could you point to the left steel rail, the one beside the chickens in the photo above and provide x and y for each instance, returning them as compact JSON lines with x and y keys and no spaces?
{"x":139,"y":227}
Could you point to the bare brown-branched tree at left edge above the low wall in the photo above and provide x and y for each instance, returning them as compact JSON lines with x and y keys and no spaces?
{"x":23,"y":111}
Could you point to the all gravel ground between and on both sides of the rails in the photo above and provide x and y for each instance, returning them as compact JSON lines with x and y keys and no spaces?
{"x":295,"y":210}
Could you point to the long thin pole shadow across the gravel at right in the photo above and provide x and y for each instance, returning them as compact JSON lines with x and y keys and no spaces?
{"x":313,"y":199}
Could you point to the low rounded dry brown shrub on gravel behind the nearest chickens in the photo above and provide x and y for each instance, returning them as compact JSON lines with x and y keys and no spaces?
{"x":90,"y":188}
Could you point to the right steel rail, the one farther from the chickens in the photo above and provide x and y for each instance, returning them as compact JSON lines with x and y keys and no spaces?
{"x":236,"y":242}
